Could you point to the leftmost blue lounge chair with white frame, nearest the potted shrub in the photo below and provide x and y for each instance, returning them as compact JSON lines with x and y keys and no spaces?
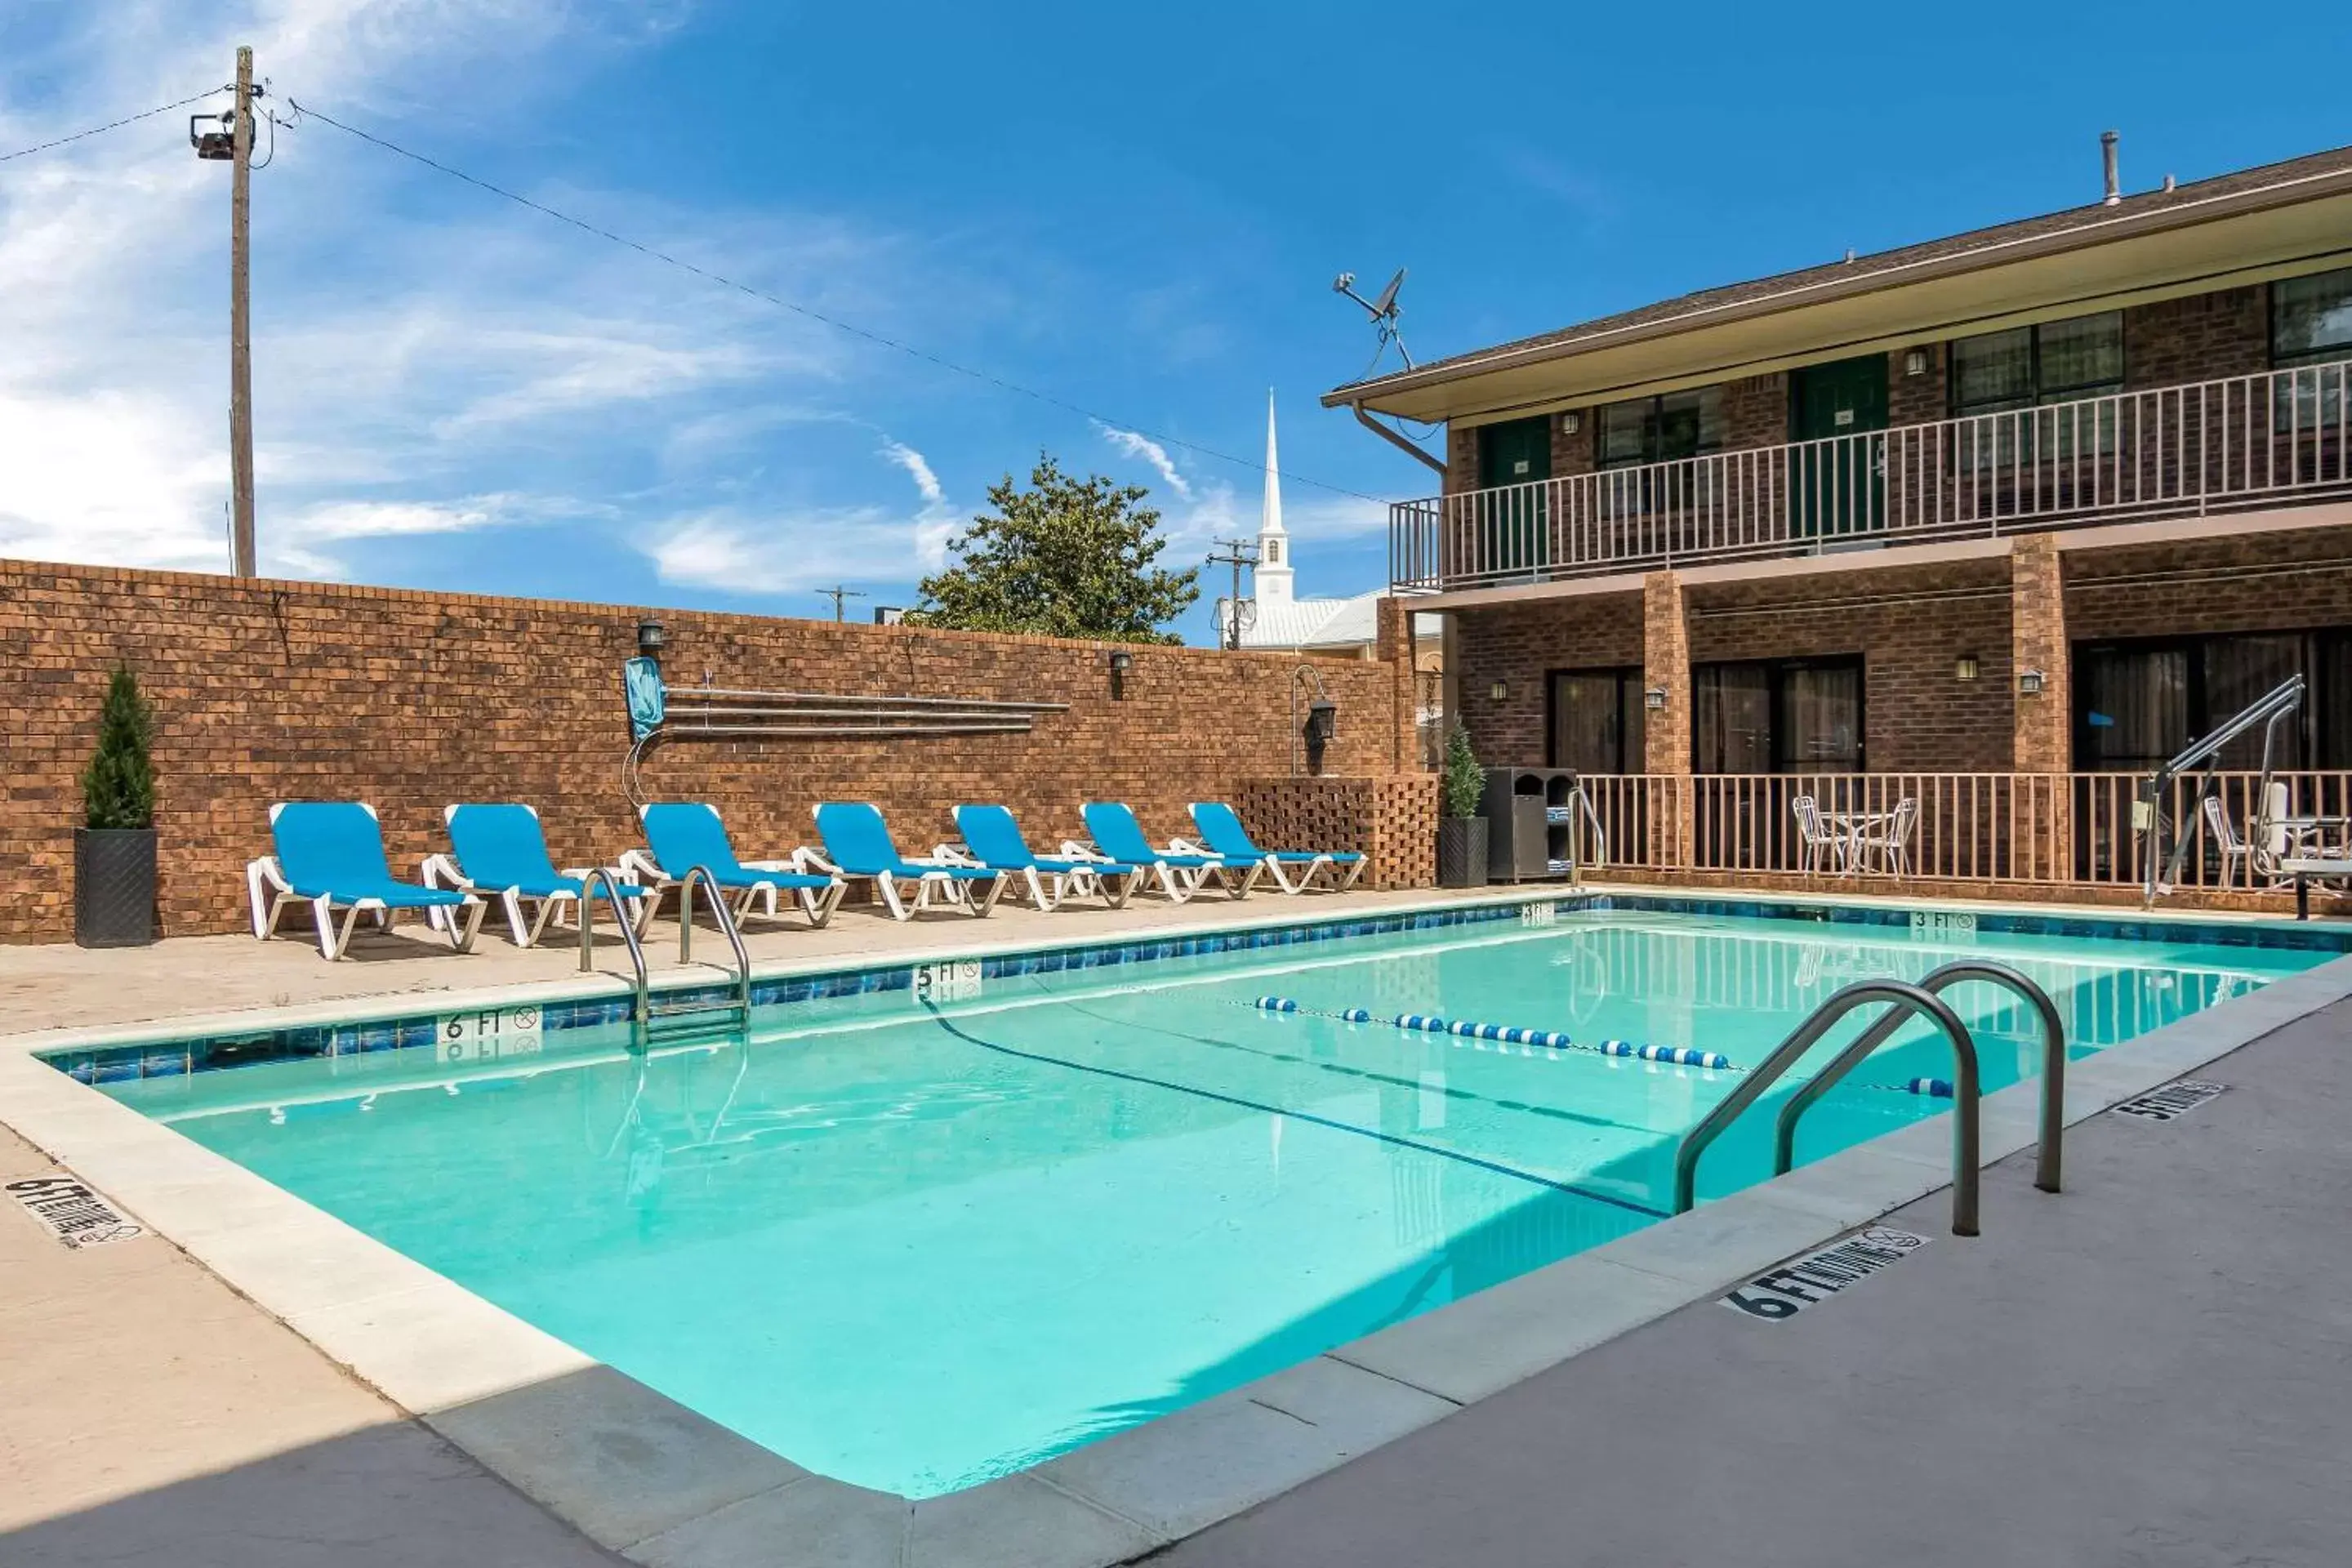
{"x":330,"y":855}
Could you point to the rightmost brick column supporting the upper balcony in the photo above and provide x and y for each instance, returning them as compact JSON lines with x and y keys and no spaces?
{"x":2043,"y":732}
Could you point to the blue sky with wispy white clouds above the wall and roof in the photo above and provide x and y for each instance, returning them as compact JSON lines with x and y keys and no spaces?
{"x":1137,"y":210}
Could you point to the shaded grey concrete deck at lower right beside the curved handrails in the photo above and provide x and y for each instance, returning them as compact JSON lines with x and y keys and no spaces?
{"x":2146,"y":1372}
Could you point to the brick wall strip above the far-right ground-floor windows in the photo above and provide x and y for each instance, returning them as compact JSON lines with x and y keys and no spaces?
{"x":2285,"y":584}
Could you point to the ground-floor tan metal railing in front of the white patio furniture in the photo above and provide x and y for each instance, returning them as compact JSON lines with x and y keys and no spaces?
{"x":1996,"y":829}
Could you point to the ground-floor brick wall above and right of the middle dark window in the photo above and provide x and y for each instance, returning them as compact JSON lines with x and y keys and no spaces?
{"x":1911,"y":626}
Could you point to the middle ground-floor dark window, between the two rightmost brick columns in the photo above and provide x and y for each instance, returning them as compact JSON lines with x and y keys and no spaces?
{"x":1779,"y":716}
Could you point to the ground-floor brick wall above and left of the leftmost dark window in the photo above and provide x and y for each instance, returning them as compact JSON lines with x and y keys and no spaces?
{"x":1518,"y":645}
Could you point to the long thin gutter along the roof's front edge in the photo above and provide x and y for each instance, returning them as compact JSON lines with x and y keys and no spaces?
{"x":2097,"y":232}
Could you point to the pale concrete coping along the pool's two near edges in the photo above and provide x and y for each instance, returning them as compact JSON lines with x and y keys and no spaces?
{"x":1100,"y":1506}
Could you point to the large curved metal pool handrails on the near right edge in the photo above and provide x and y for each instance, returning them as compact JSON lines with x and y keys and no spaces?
{"x":1904,"y":1003}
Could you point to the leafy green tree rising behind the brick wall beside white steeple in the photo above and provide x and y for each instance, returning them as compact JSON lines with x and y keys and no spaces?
{"x":1067,"y":558}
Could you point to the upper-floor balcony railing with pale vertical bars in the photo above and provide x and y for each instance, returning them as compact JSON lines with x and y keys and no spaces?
{"x":2167,"y":453}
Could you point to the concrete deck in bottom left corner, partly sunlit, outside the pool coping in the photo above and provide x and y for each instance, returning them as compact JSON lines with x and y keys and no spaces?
{"x":154,"y":1416}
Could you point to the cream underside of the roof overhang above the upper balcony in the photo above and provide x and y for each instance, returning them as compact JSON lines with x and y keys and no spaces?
{"x":2134,"y":257}
